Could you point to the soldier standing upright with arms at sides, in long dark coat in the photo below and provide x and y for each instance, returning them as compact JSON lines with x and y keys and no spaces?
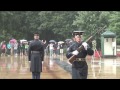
{"x":36,"y":56}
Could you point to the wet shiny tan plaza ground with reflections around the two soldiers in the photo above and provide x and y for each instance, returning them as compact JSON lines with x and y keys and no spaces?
{"x":57,"y":68}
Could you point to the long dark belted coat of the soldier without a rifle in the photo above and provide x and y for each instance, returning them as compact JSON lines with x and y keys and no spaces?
{"x":36,"y":58}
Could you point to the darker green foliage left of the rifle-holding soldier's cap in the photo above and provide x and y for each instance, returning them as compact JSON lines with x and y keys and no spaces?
{"x":50,"y":24}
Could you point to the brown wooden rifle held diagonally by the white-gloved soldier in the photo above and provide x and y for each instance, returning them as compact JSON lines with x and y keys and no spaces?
{"x":72,"y":58}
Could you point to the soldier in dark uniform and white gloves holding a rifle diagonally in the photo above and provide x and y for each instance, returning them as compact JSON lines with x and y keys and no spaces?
{"x":79,"y":66}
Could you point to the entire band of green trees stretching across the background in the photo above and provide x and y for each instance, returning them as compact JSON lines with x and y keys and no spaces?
{"x":57,"y":25}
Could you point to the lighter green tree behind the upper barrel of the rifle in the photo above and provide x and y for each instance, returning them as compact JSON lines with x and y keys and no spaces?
{"x":90,"y":21}
